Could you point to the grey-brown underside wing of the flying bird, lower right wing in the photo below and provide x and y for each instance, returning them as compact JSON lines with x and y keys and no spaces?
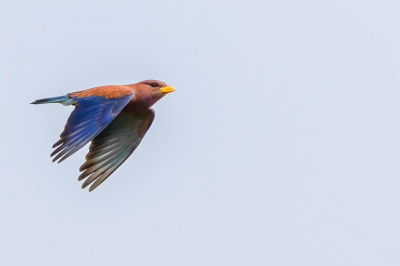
{"x":114,"y":145}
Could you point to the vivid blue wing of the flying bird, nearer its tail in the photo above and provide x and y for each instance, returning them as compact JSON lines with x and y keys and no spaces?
{"x":91,"y":115}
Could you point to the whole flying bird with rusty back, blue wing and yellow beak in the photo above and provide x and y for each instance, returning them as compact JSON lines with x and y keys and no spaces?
{"x":114,"y":118}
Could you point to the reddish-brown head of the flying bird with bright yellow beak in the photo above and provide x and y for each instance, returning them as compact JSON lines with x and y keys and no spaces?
{"x":150,"y":91}
